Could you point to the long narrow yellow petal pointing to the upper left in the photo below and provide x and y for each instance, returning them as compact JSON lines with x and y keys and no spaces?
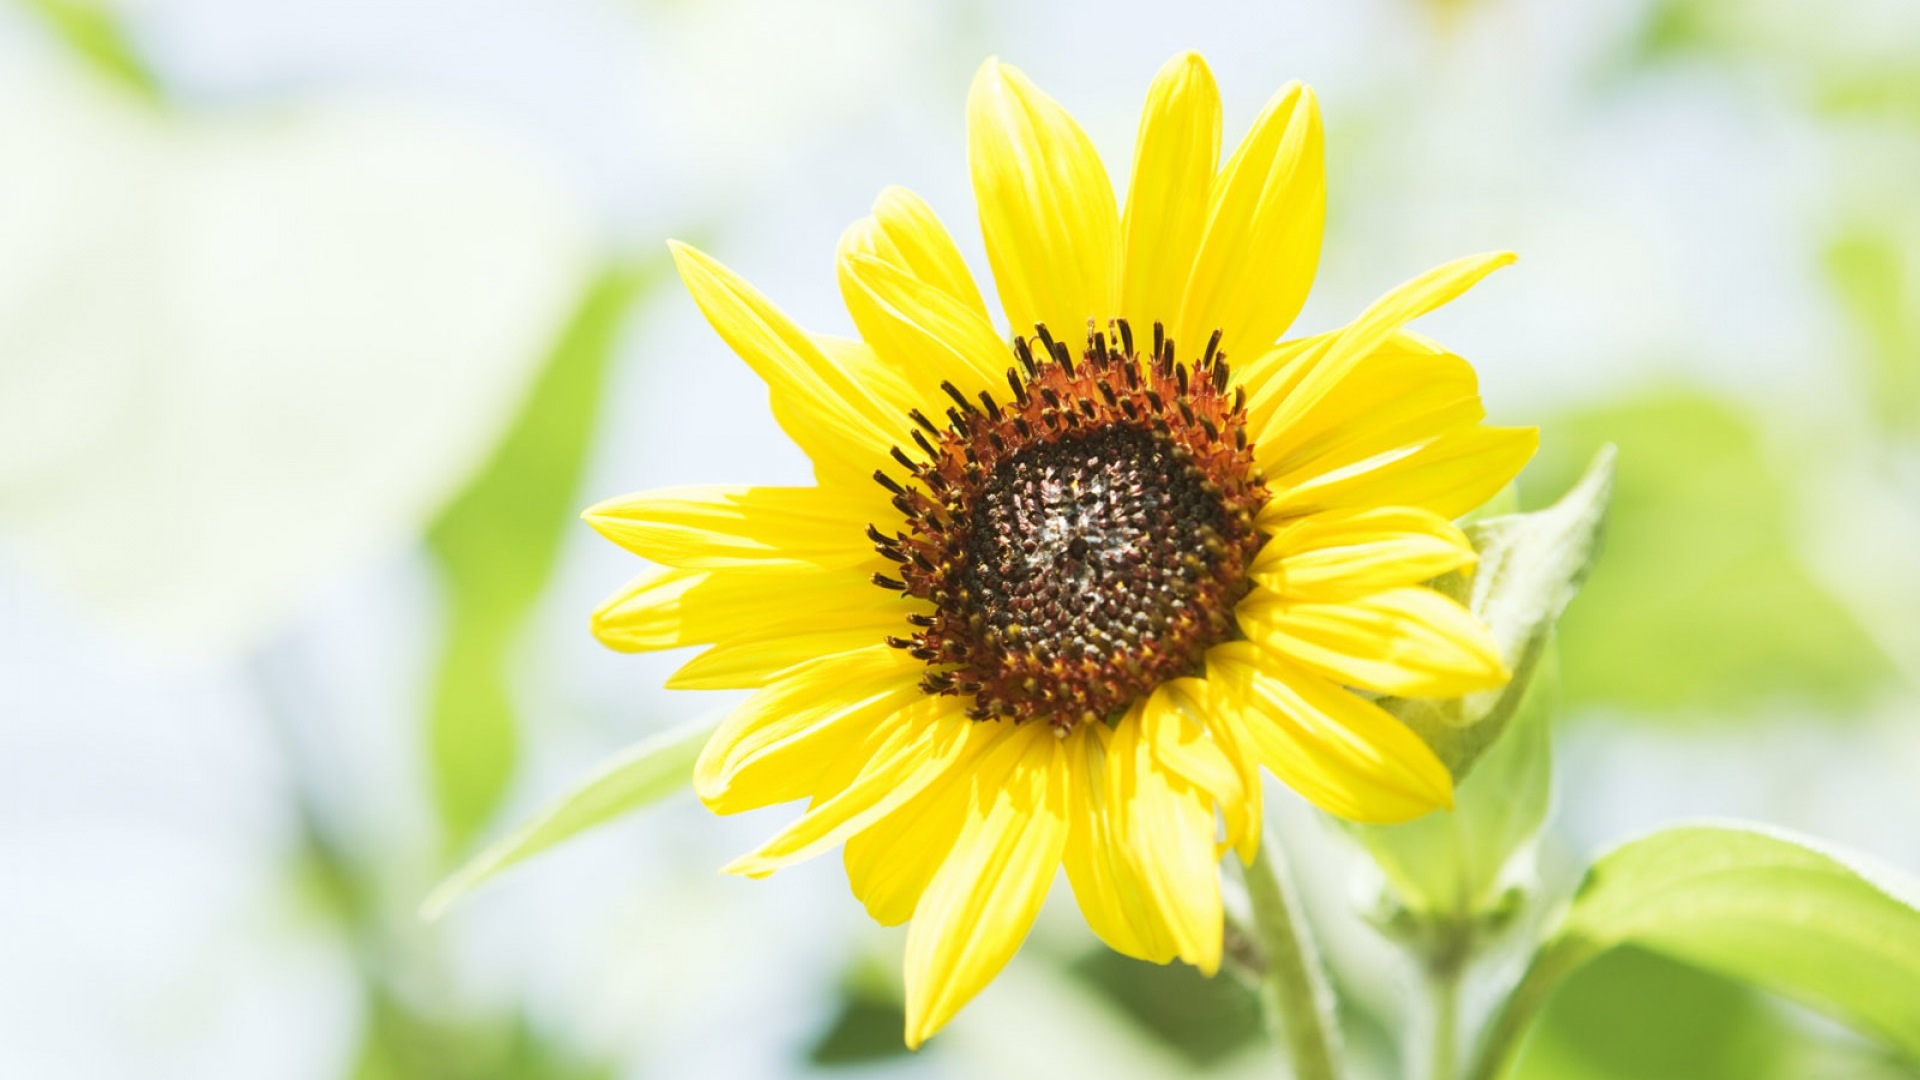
{"x":817,"y":401}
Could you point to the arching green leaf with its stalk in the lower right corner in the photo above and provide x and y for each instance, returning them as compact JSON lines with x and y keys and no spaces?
{"x":1821,"y":927}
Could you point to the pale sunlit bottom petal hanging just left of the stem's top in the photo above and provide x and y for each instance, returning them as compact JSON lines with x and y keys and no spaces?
{"x":1170,"y":825}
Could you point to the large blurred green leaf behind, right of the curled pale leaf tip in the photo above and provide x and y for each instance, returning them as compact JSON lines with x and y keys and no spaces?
{"x":1702,"y":606}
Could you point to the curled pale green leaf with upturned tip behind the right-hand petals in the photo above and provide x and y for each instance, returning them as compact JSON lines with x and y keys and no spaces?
{"x":1531,"y":568}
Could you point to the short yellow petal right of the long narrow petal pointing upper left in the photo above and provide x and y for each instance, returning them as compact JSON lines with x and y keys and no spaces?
{"x":923,"y":330}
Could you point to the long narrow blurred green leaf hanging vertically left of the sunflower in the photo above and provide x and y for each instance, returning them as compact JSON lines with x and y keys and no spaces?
{"x":496,"y":547}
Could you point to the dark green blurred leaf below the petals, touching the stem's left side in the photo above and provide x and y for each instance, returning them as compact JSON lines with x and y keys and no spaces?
{"x":1205,"y":1019}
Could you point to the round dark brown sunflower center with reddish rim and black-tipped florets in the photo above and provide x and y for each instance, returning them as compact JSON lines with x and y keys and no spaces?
{"x":1086,"y":539}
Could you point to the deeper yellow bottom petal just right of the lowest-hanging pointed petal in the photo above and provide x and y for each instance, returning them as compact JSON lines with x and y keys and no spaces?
{"x":1107,"y":883}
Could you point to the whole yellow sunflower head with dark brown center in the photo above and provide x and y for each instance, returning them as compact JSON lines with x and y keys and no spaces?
{"x":1059,"y":599}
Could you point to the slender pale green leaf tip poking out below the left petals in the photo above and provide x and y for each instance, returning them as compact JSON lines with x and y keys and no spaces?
{"x":642,"y":775}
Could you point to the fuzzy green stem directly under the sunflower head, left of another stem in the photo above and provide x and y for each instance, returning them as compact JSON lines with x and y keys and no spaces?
{"x":1293,"y":987}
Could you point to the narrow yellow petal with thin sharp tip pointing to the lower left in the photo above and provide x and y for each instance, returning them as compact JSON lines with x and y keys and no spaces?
{"x":917,"y":747}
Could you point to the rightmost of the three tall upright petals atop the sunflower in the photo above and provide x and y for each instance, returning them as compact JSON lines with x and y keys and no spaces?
{"x":1264,"y":232}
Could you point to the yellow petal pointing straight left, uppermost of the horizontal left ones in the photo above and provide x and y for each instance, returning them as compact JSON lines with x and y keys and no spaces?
{"x":734,"y":528}
